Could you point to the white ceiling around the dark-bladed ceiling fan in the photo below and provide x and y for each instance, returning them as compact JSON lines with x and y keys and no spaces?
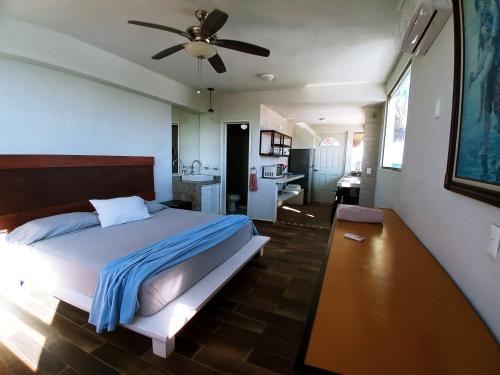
{"x":311,"y":41}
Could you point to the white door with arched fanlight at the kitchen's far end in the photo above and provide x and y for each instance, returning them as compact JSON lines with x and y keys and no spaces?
{"x":329,"y":168}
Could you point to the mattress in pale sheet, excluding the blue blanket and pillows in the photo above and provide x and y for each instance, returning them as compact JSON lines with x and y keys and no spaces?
{"x":74,"y":260}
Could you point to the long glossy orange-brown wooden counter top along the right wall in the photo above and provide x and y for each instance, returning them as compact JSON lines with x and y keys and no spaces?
{"x":387,"y":307}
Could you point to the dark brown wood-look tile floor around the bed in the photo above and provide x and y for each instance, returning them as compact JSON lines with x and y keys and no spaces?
{"x":253,"y":326}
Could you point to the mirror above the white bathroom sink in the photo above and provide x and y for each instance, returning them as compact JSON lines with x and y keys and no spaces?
{"x":185,"y":141}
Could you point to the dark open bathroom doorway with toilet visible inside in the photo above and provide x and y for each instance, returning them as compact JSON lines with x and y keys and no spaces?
{"x":237,"y":149}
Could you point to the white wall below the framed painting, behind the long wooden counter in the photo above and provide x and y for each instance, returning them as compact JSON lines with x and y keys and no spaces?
{"x":453,"y":227}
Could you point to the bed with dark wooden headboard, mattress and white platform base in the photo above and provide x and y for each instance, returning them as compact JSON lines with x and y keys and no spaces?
{"x":67,"y":266}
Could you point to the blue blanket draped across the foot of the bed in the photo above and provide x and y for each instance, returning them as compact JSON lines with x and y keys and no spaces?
{"x":115,"y":299}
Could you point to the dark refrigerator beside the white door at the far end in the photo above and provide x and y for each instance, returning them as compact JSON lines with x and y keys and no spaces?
{"x":301,"y":161}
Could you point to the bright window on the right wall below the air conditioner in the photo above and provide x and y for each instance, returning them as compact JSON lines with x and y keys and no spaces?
{"x":395,"y":124}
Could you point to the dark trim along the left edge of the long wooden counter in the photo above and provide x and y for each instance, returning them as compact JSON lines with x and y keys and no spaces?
{"x":300,"y":364}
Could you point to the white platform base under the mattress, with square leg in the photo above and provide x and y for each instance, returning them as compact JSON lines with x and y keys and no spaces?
{"x":164,"y":325}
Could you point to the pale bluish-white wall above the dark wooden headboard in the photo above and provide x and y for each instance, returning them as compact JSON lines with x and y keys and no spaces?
{"x":43,"y":111}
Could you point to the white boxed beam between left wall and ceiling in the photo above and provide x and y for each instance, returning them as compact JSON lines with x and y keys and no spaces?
{"x":39,"y":45}
